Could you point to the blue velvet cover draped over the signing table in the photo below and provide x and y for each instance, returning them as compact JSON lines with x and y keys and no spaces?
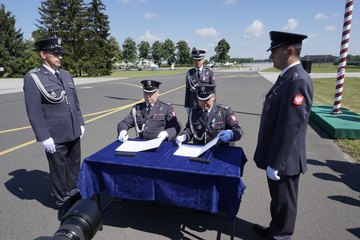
{"x":159,"y":175}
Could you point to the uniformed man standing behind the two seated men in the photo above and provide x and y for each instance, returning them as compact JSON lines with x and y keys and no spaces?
{"x":197,"y":76}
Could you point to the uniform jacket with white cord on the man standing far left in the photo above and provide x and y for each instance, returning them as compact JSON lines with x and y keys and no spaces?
{"x":60,"y":121}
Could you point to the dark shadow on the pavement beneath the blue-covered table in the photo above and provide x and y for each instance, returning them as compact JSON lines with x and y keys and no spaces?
{"x":175,"y":223}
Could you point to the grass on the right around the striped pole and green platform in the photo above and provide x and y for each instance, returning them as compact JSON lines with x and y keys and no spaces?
{"x":324,"y":92}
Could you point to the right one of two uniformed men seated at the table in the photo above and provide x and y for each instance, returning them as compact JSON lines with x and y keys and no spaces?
{"x":210,"y":119}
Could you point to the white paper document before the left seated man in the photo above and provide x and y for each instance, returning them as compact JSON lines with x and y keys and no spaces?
{"x":138,"y":146}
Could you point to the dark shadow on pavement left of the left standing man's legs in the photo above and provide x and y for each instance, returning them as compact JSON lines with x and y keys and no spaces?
{"x":30,"y":185}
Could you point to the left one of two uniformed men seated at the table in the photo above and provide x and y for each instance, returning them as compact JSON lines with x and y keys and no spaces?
{"x":152,"y":118}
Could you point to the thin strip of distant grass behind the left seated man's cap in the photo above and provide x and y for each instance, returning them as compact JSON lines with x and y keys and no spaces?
{"x":146,"y":73}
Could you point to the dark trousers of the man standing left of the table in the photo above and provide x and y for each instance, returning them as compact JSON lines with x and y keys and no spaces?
{"x":64,"y":166}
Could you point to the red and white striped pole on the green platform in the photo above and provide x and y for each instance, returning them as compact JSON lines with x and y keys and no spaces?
{"x":343,"y":56}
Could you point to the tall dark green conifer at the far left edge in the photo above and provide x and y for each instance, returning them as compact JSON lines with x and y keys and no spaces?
{"x":12,"y":46}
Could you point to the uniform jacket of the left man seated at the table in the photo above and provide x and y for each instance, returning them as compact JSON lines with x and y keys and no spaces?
{"x":161,"y":117}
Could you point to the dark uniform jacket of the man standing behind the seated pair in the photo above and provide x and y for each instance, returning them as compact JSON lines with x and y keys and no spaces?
{"x":192,"y":80}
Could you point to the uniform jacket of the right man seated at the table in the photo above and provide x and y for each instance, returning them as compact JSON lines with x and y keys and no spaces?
{"x":202,"y":131}
